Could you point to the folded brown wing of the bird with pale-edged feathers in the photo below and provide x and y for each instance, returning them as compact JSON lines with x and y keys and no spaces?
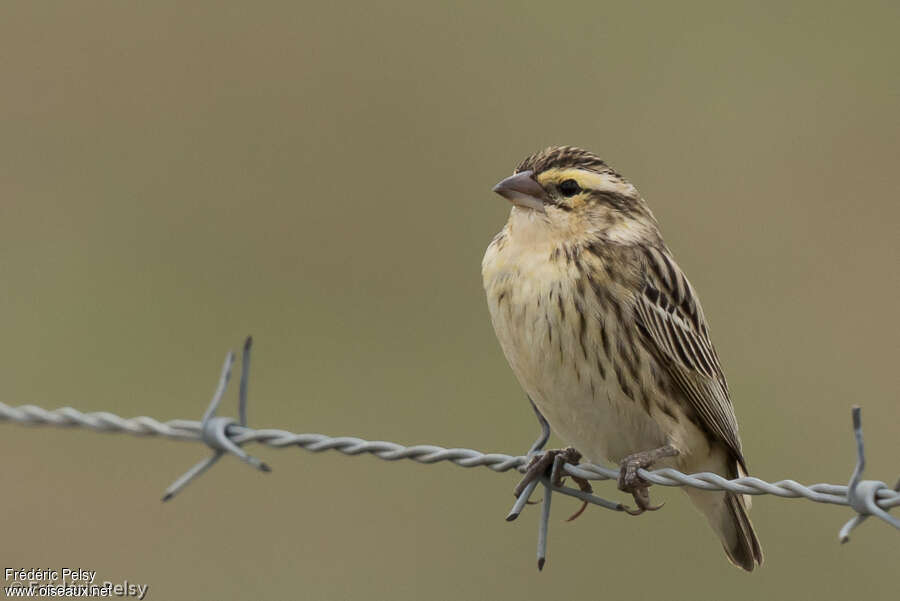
{"x":672,"y":323}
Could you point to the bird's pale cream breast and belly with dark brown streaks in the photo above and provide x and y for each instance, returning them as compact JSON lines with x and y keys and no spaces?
{"x":560,"y":327}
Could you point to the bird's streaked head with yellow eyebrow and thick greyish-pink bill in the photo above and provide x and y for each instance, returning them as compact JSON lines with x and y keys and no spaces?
{"x":570,"y":193}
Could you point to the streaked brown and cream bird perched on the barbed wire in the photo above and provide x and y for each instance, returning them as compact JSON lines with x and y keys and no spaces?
{"x":607,"y":337}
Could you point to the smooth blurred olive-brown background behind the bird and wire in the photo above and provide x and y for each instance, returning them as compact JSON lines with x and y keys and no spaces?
{"x":174,"y":176}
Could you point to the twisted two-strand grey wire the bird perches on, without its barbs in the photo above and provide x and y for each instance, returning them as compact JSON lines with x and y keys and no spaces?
{"x":191,"y":430}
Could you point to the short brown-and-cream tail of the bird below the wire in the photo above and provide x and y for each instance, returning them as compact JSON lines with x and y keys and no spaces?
{"x":727,"y":514}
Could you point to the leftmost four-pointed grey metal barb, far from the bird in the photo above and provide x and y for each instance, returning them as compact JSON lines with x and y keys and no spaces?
{"x":216,"y":431}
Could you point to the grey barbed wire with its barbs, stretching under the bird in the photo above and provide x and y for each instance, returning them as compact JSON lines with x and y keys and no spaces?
{"x":226,"y":435}
